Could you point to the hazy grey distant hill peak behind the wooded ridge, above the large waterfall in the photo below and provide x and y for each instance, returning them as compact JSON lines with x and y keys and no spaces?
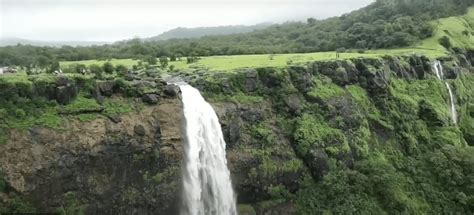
{"x":182,"y":33}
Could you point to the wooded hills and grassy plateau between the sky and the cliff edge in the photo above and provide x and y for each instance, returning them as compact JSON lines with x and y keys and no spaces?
{"x":413,"y":26}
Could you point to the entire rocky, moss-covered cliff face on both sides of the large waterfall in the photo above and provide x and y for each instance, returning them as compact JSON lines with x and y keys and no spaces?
{"x":348,"y":136}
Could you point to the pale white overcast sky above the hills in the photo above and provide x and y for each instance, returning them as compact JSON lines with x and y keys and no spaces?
{"x":111,"y":20}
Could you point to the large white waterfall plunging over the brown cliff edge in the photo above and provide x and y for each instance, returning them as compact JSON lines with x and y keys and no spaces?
{"x":206,"y":179}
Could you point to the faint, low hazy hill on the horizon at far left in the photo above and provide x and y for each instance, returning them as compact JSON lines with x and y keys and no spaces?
{"x":14,"y":41}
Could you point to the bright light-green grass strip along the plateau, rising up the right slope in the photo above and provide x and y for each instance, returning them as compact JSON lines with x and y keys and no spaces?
{"x":453,"y":27}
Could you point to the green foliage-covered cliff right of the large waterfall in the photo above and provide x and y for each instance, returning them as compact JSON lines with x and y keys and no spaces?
{"x":375,"y":137}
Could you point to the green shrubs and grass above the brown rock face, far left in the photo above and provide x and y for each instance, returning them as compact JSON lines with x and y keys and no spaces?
{"x":28,"y":101}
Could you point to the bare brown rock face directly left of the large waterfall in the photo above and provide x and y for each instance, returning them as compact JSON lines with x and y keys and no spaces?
{"x":126,"y":167}
